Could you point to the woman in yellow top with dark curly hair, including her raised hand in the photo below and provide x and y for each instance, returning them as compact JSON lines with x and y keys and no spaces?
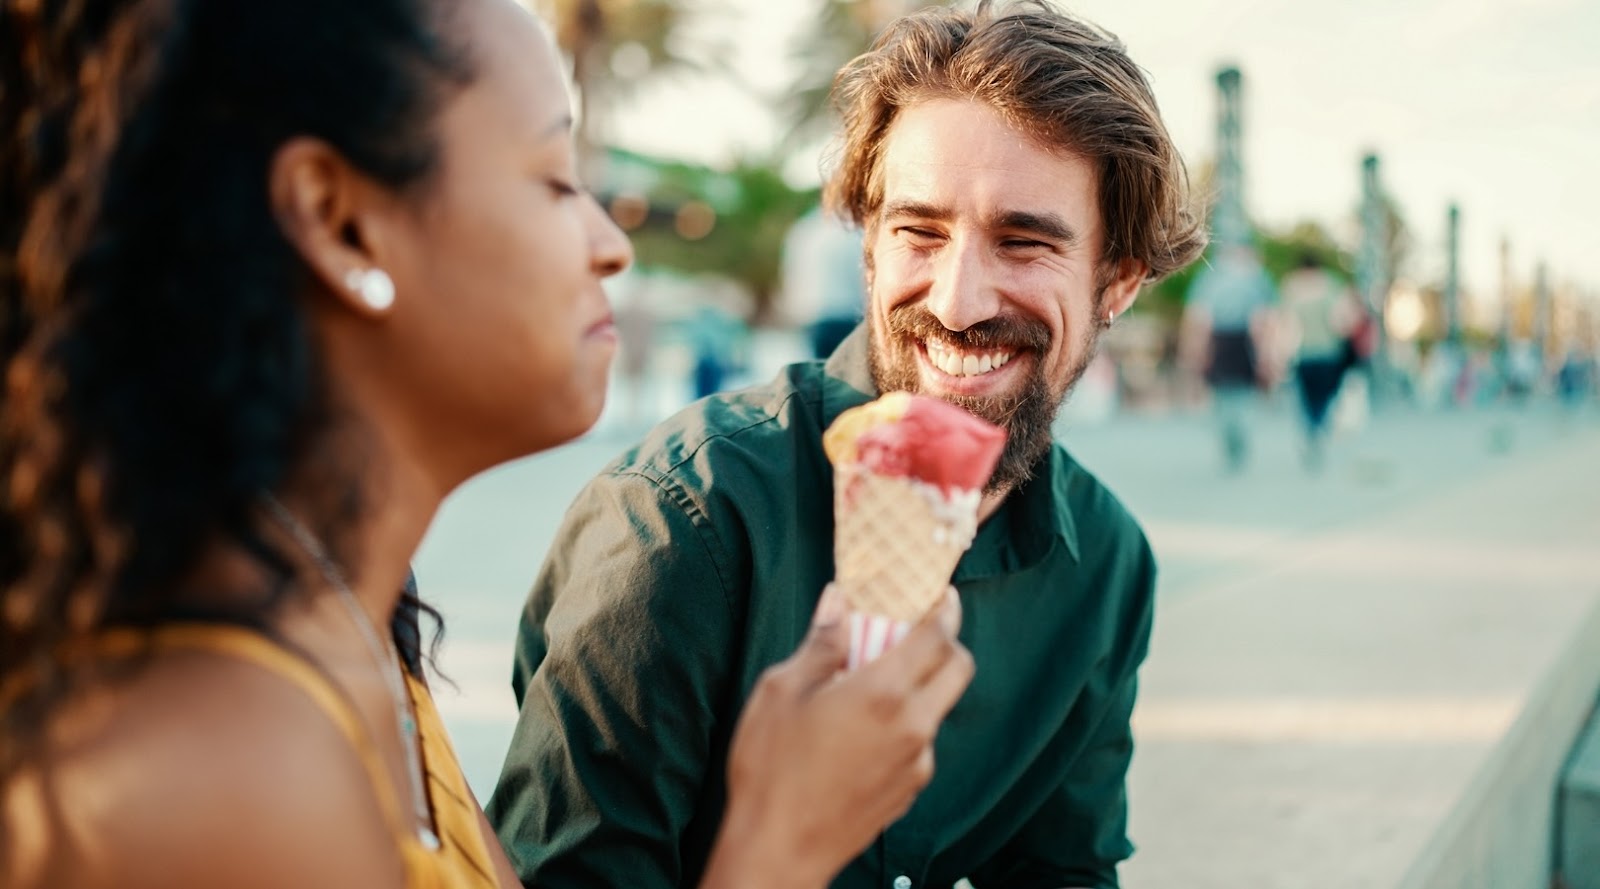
{"x":276,"y":279}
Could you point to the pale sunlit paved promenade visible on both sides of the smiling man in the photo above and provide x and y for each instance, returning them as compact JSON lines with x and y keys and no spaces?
{"x":1337,"y":660}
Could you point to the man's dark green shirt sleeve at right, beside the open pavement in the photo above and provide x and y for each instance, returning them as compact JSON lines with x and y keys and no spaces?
{"x":1081,"y":832}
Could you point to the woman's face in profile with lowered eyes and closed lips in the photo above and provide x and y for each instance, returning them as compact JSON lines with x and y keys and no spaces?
{"x":502,"y":335}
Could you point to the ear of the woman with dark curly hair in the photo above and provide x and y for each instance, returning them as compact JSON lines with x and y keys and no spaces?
{"x":322,"y":205}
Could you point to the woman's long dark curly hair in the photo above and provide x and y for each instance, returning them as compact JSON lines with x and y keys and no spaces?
{"x":159,"y":373}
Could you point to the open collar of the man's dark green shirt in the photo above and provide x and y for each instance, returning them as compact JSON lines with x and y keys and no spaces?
{"x":1022,"y":533}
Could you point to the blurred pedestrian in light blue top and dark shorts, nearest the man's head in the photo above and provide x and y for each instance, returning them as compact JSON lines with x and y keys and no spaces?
{"x":1230,"y":311}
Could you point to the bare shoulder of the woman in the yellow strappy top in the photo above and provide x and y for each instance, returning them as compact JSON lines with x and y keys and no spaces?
{"x":201,"y":771}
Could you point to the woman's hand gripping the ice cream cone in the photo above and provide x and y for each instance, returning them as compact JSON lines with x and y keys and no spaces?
{"x":825,"y":760}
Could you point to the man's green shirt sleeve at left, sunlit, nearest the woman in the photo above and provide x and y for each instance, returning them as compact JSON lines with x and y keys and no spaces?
{"x":622,"y":661}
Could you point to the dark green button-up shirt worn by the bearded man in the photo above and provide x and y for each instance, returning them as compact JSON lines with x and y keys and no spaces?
{"x":694,"y":564}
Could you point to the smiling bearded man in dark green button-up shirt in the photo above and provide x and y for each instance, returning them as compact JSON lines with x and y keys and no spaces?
{"x":1017,"y":188}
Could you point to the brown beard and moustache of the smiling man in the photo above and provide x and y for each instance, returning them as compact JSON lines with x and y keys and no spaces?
{"x":1026,"y":413}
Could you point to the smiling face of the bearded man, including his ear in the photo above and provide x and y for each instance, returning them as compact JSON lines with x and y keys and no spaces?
{"x":986,"y":285}
